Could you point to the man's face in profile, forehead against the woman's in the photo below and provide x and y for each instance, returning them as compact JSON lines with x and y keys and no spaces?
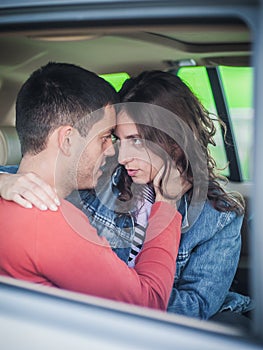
{"x":96,"y":147}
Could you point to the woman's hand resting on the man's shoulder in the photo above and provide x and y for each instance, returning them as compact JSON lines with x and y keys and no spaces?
{"x":28,"y":190}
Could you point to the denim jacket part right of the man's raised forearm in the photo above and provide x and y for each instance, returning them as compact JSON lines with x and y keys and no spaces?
{"x":206,"y":265}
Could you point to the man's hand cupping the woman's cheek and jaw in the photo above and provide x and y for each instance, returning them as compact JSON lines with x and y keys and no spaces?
{"x":174,"y":186}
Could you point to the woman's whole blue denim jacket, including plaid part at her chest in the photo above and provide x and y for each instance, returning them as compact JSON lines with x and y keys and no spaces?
{"x":207,"y":259}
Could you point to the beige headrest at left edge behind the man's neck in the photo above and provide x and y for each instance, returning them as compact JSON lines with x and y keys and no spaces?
{"x":10,"y":151}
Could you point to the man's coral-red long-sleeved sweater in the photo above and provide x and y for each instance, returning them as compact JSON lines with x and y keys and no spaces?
{"x":62,"y":249}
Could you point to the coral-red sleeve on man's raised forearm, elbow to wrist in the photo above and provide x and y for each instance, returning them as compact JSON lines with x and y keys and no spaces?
{"x":157,"y":260}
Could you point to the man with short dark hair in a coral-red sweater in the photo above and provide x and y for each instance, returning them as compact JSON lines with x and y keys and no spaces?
{"x":64,"y":119}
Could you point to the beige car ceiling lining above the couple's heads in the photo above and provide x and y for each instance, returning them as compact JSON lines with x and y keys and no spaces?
{"x":127,"y":49}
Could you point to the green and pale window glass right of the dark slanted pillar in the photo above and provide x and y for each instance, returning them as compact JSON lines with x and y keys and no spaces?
{"x":238,"y":86}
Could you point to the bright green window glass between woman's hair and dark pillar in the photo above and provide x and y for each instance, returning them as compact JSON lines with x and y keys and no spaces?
{"x":197,"y":80}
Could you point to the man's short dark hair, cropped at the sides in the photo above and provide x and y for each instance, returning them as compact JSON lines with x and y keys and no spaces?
{"x":59,"y":94}
